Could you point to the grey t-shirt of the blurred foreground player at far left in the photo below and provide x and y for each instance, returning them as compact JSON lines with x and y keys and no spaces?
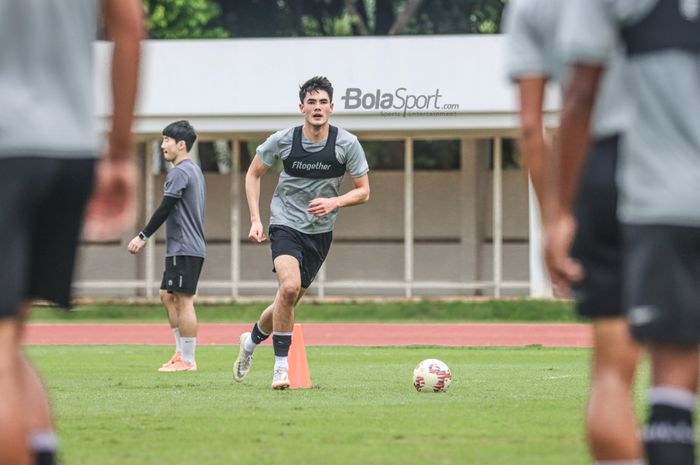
{"x":46,"y":86}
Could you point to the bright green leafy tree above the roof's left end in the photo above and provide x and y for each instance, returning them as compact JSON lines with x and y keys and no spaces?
{"x":183,"y":19}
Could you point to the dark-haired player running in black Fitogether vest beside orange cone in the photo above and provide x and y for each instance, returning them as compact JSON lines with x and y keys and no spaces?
{"x":304,"y":206}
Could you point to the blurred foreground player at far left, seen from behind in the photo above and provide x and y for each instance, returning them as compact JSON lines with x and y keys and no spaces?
{"x":49,"y":151}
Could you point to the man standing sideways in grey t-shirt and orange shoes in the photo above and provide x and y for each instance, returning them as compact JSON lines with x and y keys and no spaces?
{"x":183,"y":207}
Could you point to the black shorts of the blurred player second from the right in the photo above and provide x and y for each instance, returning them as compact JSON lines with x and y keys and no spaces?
{"x":598,"y":243}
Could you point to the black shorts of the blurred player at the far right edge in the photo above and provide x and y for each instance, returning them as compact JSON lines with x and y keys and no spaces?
{"x":661,"y":283}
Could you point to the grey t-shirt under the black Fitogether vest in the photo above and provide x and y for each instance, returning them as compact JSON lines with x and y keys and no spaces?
{"x":290,"y":201}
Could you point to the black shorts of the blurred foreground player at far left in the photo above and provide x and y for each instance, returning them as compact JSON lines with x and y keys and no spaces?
{"x":41,"y":213}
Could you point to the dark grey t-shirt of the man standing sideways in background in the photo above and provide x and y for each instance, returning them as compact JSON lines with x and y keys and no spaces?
{"x":185,"y":224}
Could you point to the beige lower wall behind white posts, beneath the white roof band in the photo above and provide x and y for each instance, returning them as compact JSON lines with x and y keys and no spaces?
{"x":452,"y":232}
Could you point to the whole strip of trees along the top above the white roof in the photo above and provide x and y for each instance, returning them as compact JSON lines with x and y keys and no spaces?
{"x":175,"y":19}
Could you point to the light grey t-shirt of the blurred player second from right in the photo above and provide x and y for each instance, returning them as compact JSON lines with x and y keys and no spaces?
{"x":536,"y":29}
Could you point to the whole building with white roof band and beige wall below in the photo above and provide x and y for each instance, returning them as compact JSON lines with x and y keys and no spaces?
{"x":248,"y":88}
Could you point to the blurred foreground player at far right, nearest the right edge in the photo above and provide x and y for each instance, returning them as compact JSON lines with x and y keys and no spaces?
{"x":659,"y":205}
